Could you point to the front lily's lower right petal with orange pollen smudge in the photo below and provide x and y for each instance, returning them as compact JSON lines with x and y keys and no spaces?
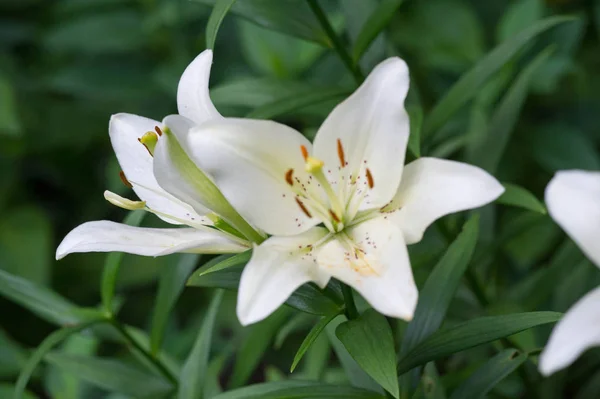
{"x":380,"y":270}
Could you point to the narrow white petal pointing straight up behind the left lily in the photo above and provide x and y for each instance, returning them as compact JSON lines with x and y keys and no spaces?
{"x":193,"y":100}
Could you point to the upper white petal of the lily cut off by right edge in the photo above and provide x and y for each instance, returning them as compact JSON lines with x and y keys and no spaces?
{"x":573,"y":199}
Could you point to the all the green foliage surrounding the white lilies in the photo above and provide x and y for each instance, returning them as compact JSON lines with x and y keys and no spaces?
{"x":66,"y":66}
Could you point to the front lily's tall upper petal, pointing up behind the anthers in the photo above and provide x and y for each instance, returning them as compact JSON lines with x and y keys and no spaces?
{"x":373,"y":128}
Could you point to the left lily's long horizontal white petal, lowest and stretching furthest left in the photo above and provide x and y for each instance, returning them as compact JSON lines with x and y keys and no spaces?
{"x":106,"y":236}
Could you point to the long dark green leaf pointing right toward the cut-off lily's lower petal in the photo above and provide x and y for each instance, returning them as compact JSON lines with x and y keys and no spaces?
{"x":472,"y":333}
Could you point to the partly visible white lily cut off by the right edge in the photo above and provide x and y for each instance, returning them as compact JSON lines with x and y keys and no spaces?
{"x":573,"y":199}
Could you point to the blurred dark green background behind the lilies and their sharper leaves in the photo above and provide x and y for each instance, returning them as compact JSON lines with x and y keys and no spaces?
{"x":67,"y":65}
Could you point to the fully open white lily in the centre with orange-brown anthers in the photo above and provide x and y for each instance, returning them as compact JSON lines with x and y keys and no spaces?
{"x":353,"y":181}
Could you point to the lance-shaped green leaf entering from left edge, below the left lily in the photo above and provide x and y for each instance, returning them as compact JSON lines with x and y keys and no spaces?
{"x":43,"y":302}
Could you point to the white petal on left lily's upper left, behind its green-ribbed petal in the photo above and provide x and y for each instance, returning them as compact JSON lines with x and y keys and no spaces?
{"x":136,"y":162}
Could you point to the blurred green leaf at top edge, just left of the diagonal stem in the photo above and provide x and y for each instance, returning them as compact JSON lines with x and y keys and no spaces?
{"x":292,"y":17}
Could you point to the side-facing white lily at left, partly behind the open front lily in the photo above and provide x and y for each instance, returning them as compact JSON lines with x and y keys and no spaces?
{"x":168,"y":183}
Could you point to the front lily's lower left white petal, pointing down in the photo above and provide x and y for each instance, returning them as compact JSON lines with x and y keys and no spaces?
{"x":278,"y":267}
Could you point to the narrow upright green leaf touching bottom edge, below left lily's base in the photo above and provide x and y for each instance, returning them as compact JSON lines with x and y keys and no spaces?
{"x":193,"y":374}
